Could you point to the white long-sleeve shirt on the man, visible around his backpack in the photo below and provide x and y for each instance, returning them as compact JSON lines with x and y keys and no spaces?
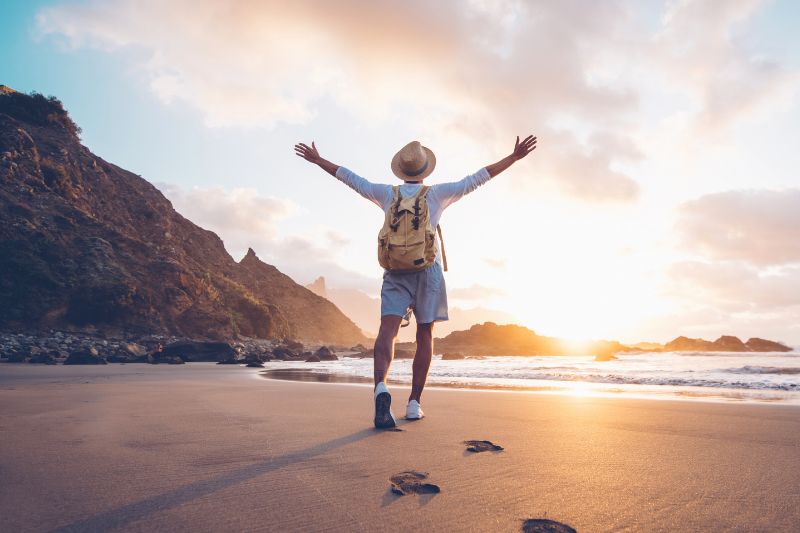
{"x":439,"y":197}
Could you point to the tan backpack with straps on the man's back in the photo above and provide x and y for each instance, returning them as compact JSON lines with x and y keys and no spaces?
{"x":407,"y":241}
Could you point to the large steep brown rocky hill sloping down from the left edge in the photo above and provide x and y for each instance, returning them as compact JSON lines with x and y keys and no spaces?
{"x":88,"y":246}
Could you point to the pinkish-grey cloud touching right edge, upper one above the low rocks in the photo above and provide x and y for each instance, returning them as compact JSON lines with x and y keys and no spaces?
{"x":761,"y":227}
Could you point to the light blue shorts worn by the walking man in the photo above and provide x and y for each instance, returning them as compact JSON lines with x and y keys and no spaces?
{"x":422,"y":292}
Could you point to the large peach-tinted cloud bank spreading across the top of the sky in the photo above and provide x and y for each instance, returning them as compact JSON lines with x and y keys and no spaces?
{"x":445,"y":65}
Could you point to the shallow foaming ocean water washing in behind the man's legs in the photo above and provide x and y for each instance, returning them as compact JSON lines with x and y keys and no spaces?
{"x":710,"y":376}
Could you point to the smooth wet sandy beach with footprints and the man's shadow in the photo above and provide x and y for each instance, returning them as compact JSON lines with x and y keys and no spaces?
{"x":202,"y":448}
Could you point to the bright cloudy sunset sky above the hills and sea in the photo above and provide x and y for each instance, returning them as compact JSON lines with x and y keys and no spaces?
{"x":663,"y":199}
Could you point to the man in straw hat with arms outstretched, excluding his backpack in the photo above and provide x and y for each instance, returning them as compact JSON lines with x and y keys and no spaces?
{"x":422,"y":292}
